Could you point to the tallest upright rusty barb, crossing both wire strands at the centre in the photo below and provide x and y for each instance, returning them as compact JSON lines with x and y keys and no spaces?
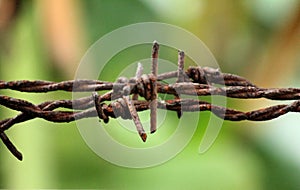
{"x":154,"y":71}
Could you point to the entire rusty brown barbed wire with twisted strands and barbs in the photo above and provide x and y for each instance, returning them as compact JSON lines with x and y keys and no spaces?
{"x":122,"y":98}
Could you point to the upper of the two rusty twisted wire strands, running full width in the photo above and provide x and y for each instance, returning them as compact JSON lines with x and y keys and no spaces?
{"x":241,"y":92}
